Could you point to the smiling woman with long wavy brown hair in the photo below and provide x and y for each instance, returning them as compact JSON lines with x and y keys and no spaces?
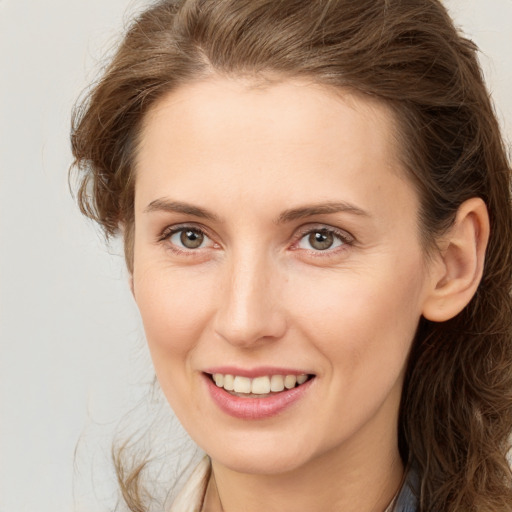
{"x":314,"y":199}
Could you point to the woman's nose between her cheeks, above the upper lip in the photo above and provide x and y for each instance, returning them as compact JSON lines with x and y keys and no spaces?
{"x":250,"y":312}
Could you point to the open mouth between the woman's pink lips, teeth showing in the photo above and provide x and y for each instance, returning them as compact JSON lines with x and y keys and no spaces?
{"x":263,"y":386}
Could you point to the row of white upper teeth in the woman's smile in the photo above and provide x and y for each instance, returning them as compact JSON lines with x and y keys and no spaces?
{"x":259,"y":385}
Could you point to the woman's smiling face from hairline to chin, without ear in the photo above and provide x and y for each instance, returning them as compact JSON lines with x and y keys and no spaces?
{"x":275,"y":236}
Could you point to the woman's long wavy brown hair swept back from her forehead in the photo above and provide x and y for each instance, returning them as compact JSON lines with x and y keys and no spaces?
{"x":456,"y":412}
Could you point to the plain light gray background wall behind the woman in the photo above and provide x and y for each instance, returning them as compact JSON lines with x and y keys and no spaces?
{"x":72,"y":357}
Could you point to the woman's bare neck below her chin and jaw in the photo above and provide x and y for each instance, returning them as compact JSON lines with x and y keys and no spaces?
{"x":367,"y":481}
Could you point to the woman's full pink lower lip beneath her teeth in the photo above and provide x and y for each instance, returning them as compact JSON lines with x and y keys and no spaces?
{"x":256,"y":408}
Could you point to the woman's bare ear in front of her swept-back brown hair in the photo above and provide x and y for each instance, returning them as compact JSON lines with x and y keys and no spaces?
{"x":457,"y":269}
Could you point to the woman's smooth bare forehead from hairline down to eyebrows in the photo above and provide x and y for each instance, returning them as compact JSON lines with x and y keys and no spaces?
{"x":237,"y":137}
